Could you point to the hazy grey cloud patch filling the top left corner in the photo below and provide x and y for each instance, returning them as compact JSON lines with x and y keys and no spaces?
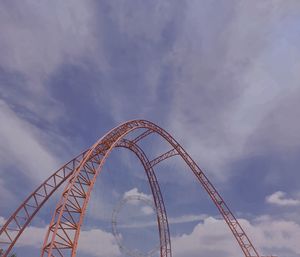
{"x":38,"y":58}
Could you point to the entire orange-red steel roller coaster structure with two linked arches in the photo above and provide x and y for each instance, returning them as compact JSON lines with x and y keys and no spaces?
{"x":80,"y":175}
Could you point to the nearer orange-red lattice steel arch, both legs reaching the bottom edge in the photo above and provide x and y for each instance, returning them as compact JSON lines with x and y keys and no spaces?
{"x":56,"y":242}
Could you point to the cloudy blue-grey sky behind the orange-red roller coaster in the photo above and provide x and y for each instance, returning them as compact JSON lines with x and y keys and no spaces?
{"x":221,"y":76}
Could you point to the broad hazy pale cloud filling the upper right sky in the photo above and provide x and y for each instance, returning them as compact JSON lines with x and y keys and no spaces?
{"x":228,"y":96}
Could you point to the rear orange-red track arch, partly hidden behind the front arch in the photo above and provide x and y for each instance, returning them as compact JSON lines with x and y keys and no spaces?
{"x":29,"y":208}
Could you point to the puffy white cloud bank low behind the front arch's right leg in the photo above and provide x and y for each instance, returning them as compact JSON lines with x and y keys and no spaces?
{"x":213,"y":238}
